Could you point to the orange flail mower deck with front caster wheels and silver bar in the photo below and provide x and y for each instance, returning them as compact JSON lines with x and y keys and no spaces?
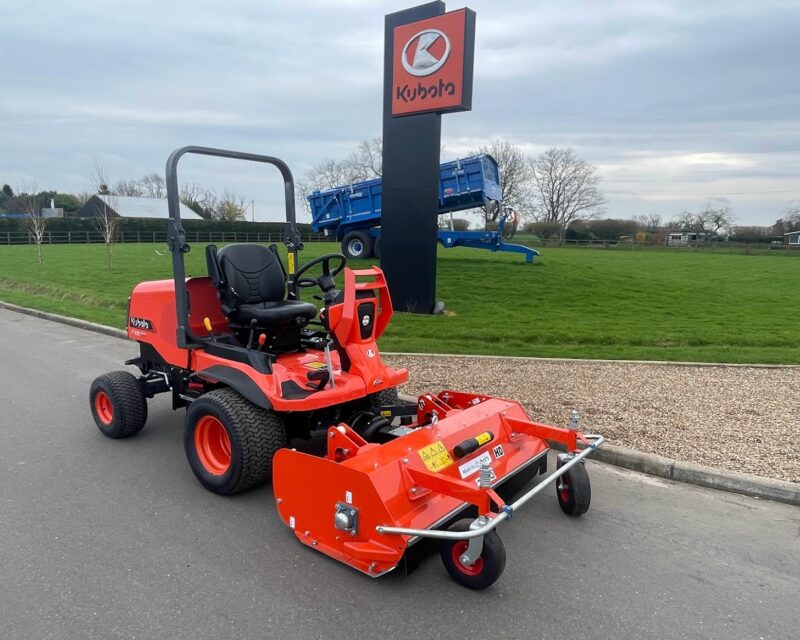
{"x":365,"y":504}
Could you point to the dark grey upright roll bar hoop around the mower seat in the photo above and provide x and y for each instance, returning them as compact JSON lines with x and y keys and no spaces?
{"x":176,"y":236}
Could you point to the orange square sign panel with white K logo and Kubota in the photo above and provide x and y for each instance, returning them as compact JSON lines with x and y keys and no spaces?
{"x":428,"y":68}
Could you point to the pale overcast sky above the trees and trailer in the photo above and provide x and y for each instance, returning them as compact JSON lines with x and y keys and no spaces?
{"x":676,"y":102}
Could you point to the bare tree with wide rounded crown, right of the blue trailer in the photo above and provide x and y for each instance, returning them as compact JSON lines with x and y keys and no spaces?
{"x":565,"y":188}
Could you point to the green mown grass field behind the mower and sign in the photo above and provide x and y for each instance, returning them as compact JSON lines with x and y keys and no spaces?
{"x":589,"y":303}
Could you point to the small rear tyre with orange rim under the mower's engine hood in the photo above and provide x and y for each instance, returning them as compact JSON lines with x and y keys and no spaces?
{"x":118,"y":403}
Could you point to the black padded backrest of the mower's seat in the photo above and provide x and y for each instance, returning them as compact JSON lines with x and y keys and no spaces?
{"x":252,"y":273}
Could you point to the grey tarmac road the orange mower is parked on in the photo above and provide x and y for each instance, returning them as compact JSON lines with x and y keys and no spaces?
{"x":116,"y":539}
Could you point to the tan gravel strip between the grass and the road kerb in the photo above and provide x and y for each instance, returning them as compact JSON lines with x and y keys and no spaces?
{"x":738,"y":418}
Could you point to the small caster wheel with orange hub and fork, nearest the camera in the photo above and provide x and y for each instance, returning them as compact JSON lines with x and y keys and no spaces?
{"x":485,"y":571}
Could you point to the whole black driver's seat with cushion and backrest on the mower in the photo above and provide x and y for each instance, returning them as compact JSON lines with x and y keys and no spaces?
{"x":253,"y":287}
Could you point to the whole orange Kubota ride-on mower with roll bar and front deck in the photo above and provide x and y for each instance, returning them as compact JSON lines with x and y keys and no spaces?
{"x":367,"y":477}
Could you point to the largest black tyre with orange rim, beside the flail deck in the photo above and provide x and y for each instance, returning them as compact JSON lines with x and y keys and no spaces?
{"x":230,"y":442}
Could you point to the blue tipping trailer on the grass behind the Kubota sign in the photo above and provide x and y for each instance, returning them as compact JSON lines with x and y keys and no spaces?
{"x":353,"y":212}
